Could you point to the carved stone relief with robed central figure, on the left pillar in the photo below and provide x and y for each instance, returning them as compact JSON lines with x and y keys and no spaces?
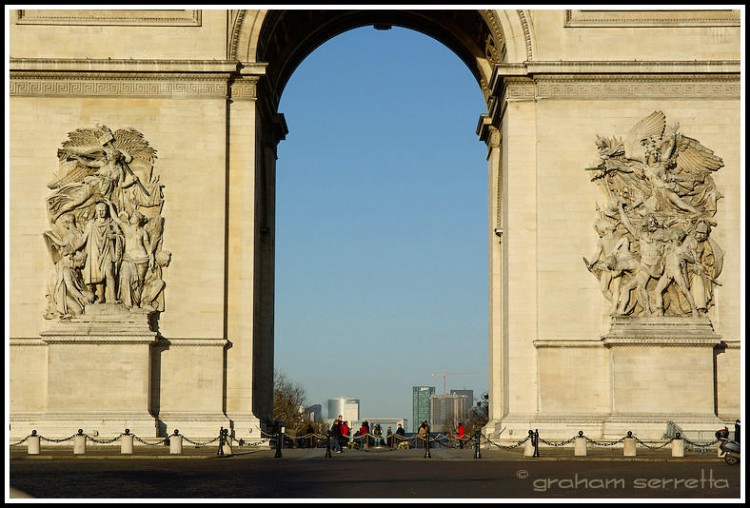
{"x":106,"y":234}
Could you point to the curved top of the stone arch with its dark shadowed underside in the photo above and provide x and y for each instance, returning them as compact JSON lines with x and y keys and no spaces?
{"x":282,"y":39}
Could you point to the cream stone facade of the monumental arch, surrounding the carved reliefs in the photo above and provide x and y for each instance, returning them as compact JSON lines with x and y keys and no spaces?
{"x":202,"y":88}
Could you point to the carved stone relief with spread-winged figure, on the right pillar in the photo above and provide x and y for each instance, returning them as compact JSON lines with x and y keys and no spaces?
{"x":654,"y":255}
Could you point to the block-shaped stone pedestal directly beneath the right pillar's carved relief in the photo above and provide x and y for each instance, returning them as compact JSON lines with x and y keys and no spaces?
{"x":662,"y":371}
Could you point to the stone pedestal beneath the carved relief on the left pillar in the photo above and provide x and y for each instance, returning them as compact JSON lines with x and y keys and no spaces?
{"x":98,"y":377}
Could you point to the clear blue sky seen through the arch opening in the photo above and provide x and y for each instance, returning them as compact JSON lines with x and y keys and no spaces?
{"x":381,"y":223}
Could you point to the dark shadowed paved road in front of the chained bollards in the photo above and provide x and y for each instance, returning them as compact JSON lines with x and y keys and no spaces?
{"x":383,"y":475}
